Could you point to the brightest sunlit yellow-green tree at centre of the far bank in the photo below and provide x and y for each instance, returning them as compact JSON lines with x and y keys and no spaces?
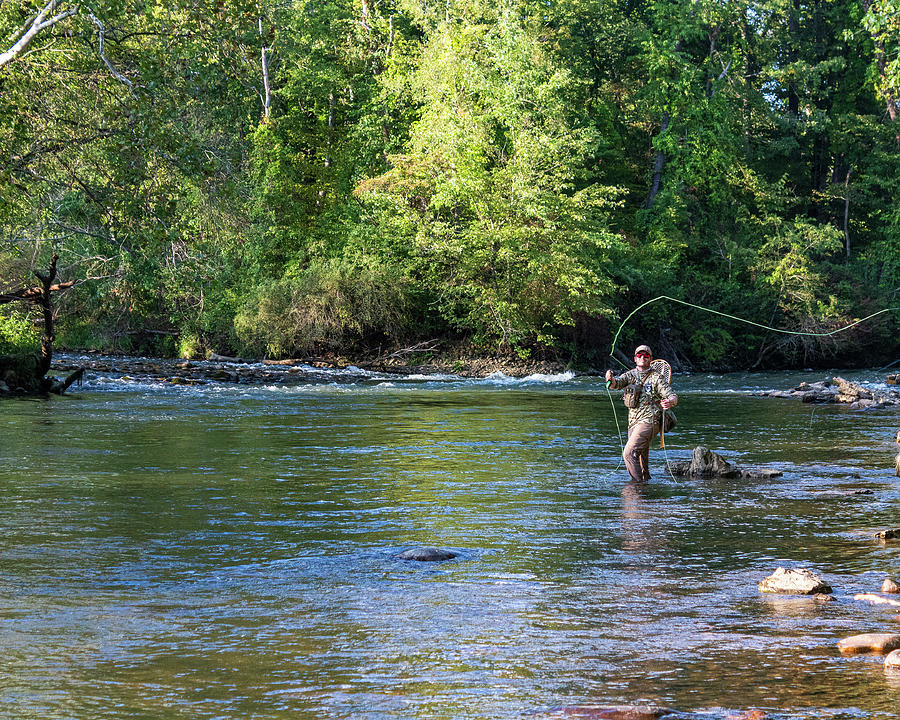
{"x":497,"y":202}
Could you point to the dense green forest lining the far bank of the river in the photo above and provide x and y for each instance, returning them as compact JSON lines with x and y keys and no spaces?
{"x":284,"y":178}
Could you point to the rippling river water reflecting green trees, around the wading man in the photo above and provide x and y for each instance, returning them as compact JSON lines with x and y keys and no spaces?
{"x":228,"y":551}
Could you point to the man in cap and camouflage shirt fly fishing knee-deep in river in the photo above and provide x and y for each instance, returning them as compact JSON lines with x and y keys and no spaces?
{"x":647,"y":396}
